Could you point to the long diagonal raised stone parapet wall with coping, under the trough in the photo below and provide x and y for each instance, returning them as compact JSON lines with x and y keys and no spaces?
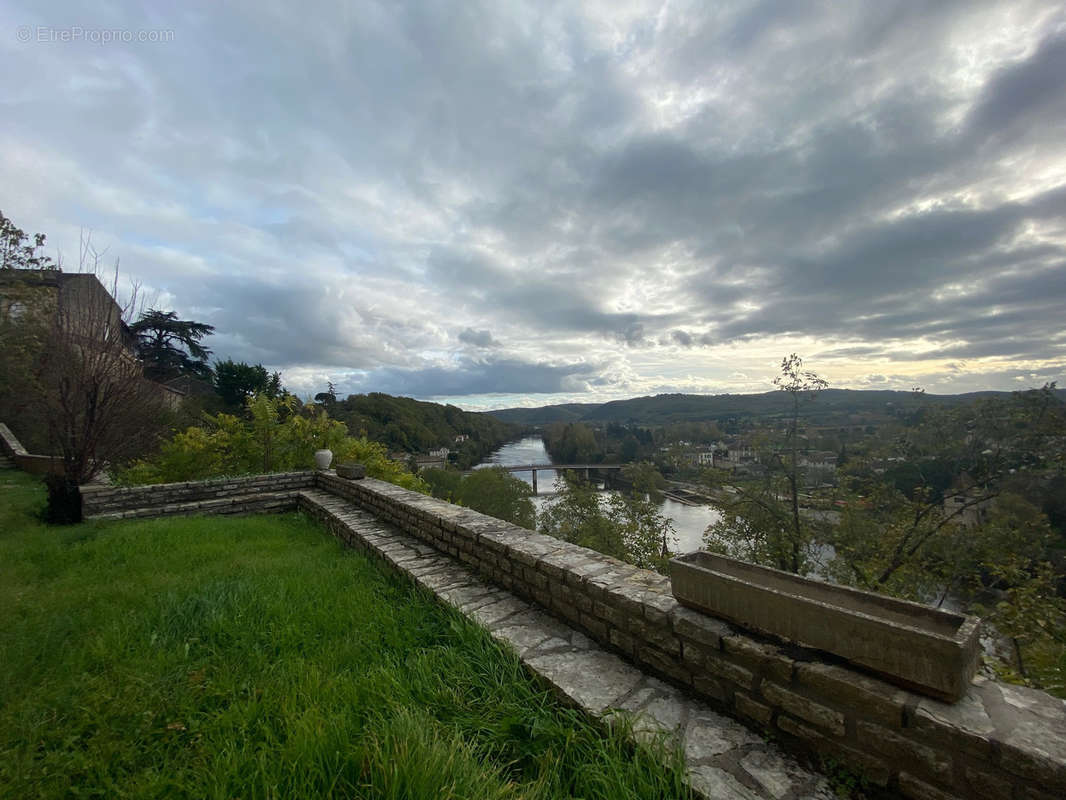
{"x":998,"y":742}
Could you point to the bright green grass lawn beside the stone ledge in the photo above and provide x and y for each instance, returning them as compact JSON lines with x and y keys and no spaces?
{"x":253,"y":658}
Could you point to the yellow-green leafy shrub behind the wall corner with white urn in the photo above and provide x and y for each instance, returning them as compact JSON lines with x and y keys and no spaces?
{"x":274,"y":437}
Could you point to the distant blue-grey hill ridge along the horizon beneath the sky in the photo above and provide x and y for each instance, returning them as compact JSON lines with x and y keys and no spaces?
{"x":677,"y":408}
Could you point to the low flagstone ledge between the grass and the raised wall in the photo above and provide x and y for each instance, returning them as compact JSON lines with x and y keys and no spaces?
{"x":725,"y":760}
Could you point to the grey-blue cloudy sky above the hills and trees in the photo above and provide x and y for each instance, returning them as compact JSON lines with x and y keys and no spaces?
{"x":506,"y":204}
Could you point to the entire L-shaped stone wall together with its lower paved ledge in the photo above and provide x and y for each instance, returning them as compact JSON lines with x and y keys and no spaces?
{"x":608,"y":635}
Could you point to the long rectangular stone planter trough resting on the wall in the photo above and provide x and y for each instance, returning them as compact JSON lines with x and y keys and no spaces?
{"x":924,"y":649}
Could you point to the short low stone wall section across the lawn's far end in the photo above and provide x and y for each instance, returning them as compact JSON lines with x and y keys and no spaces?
{"x":260,"y":493}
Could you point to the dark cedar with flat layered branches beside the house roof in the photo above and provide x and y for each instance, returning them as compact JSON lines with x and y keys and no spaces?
{"x":163,"y":342}
